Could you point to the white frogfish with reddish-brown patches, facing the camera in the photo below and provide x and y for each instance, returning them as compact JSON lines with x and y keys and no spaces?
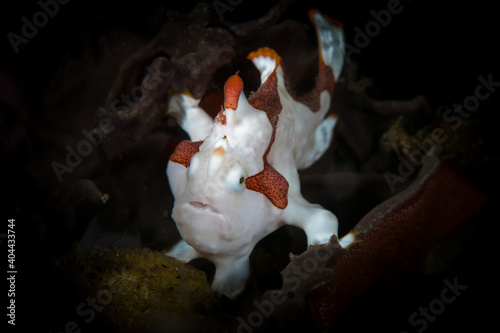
{"x":236,"y":181}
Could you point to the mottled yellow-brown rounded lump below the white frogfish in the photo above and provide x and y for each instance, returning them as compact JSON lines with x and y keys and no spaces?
{"x":143,"y":289}
